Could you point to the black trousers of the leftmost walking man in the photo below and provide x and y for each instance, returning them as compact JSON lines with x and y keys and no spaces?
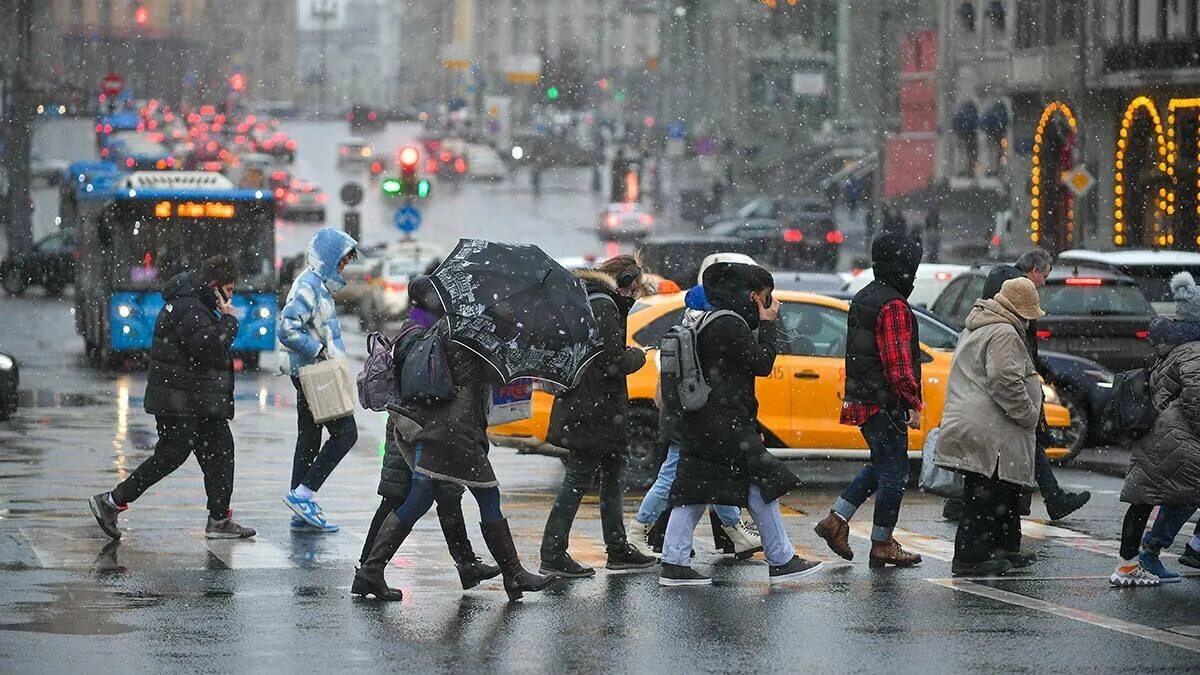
{"x":209,"y":439}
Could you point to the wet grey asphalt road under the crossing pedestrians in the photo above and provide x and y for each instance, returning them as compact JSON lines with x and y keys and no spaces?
{"x":167,"y":600}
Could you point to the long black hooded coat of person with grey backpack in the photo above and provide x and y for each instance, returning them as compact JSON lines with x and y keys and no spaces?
{"x":722,"y":452}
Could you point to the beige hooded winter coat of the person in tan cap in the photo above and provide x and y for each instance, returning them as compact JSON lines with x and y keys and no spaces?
{"x":993,"y":399}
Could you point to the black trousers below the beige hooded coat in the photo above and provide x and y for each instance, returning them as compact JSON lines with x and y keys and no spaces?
{"x":991,"y":521}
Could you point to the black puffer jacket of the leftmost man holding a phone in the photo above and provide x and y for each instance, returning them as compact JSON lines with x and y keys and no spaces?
{"x":191,"y":371}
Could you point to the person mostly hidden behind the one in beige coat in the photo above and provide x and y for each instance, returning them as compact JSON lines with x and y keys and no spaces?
{"x":1035,"y":266}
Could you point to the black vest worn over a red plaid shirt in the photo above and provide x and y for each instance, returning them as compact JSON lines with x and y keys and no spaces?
{"x":865,"y":368}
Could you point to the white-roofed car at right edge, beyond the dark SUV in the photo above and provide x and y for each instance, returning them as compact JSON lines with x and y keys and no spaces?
{"x":1151,"y":268}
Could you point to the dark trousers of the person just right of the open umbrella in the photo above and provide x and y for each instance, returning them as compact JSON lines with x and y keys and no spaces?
{"x":581,"y":468}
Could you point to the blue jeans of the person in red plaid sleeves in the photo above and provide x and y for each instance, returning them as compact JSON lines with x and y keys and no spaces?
{"x":885,"y":476}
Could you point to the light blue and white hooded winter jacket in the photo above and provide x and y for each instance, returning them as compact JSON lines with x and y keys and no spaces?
{"x":309,"y":319}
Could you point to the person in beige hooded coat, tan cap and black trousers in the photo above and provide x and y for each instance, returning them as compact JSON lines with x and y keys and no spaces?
{"x":989,"y":422}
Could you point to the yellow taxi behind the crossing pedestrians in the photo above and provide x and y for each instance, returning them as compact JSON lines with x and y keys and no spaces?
{"x":800,"y":403}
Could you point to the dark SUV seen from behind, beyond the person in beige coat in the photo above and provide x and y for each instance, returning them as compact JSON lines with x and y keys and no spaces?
{"x":1096,"y":314}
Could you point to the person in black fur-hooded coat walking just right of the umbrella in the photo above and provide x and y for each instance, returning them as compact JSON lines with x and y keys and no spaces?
{"x":592,"y":423}
